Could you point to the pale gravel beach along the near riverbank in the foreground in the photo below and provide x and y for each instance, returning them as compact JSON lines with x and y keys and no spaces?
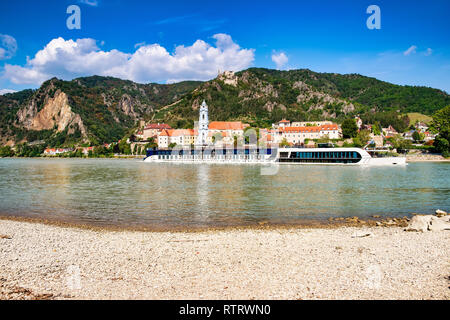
{"x":39,"y":261}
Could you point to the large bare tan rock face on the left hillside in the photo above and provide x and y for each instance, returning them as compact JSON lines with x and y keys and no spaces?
{"x":56,"y":113}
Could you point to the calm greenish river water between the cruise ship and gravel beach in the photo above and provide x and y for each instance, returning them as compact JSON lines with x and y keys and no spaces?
{"x":131,"y":193}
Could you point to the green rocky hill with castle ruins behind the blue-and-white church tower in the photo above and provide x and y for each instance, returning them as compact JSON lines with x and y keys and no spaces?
{"x":263,"y":96}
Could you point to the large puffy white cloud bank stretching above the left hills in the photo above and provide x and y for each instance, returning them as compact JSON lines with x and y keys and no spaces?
{"x":68,"y":59}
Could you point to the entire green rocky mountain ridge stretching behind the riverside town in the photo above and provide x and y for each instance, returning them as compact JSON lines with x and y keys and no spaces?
{"x":100,"y":109}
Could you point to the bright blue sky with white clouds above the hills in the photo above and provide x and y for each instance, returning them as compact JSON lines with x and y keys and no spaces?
{"x":170,"y":41}
